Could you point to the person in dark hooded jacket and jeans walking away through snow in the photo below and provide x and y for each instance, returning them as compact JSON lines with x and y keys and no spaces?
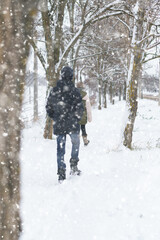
{"x":65,"y":107}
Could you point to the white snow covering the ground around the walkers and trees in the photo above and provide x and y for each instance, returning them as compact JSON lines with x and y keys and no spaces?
{"x":118,"y":195}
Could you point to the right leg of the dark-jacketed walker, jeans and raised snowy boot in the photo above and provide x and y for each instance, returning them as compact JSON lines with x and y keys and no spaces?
{"x":75,"y":139}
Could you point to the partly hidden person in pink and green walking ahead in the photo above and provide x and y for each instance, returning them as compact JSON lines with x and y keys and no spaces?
{"x":87,"y":114}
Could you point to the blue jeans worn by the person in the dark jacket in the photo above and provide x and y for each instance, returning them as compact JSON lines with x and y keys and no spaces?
{"x":61,"y":143}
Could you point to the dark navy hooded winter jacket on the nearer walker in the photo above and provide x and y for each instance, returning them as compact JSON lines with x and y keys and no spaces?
{"x":64,"y":104}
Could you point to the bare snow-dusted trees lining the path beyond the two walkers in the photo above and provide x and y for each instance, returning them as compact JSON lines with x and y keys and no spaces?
{"x":109,"y":41}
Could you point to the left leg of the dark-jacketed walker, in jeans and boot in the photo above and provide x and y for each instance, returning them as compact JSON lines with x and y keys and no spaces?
{"x":61,"y":142}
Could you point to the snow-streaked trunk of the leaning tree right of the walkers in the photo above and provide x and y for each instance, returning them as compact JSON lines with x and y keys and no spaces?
{"x":134,"y":73}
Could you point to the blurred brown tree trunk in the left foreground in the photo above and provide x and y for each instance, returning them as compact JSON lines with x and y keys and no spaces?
{"x":16,"y":22}
